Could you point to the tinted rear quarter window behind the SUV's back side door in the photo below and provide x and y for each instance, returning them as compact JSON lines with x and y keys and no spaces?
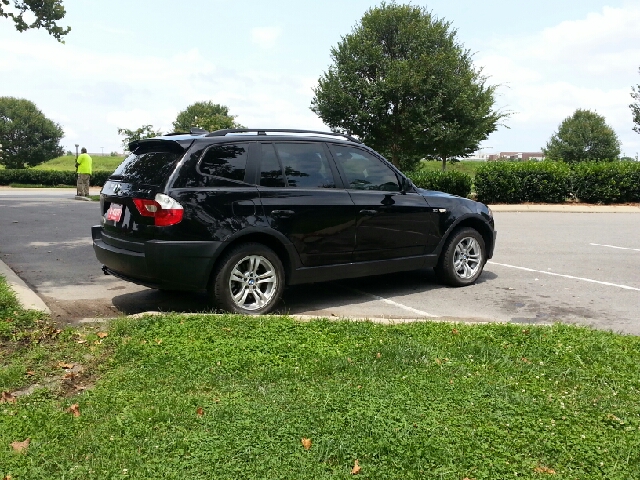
{"x":226,"y":161}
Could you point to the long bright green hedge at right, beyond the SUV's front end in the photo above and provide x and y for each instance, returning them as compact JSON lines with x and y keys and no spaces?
{"x":555,"y":182}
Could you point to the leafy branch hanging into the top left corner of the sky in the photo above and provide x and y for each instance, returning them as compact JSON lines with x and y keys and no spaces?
{"x":47,"y":14}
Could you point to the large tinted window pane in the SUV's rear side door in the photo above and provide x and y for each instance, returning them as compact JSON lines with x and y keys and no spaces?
{"x":305,"y":165}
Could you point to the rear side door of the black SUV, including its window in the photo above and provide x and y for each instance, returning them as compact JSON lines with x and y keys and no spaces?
{"x":299,"y":194}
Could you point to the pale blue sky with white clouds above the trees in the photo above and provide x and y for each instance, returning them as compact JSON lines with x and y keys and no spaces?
{"x":131,"y":63}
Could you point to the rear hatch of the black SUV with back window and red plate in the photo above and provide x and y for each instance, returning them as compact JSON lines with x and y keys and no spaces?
{"x":127,"y":199}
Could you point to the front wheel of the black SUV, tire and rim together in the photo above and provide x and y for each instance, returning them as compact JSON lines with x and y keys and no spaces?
{"x":457,"y":268}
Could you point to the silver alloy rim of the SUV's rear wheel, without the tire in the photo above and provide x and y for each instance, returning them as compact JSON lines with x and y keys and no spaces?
{"x":253,"y":282}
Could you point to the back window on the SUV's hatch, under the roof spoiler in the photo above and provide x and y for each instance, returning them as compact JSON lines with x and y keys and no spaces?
{"x":148,"y":168}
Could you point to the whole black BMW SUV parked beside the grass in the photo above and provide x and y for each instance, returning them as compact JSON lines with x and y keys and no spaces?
{"x":244,"y":212}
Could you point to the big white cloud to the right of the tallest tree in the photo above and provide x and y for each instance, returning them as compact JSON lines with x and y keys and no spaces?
{"x":589,"y":63}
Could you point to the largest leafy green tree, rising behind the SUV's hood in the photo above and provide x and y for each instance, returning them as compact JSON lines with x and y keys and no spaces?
{"x":403,"y":83}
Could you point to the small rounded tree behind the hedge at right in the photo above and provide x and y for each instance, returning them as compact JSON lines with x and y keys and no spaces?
{"x":583,"y":136}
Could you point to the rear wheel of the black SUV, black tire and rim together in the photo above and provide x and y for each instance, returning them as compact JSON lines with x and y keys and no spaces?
{"x":259,"y":285}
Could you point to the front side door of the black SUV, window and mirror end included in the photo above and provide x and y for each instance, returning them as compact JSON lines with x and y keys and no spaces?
{"x":390,"y":224}
